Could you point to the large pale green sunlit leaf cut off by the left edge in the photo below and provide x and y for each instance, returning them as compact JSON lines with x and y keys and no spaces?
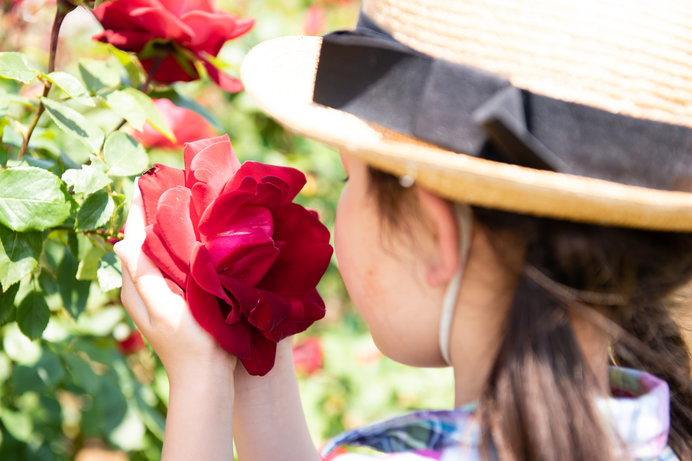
{"x":31,"y":199}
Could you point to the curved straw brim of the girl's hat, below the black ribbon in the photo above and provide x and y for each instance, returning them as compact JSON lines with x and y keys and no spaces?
{"x":279,"y":74}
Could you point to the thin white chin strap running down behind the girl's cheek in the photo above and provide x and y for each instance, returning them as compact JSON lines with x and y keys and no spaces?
{"x":465,"y":220}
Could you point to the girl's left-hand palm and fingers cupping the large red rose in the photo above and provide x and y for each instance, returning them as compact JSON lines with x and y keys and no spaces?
{"x":161,"y":315}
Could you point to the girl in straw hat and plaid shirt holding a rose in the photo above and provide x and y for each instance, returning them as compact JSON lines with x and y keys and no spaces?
{"x":517,"y":208}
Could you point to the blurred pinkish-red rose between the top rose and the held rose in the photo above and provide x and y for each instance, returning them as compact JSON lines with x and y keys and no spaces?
{"x":187,"y":126}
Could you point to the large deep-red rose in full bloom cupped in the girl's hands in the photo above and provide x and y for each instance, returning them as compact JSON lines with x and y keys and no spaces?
{"x":228,"y":237}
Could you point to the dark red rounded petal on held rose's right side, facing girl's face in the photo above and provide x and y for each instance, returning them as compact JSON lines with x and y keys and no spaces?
{"x":304,"y":256}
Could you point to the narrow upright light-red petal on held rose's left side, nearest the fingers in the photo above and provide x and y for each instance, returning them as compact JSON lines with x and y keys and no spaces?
{"x":173,"y":223}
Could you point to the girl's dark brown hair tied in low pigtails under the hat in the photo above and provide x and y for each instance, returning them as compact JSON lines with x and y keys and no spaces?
{"x":540,"y":399}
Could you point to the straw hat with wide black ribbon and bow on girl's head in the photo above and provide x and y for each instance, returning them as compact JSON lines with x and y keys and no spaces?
{"x":578,"y":110}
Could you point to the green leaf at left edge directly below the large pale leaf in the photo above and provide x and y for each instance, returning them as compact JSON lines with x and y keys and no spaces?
{"x":19,"y":253}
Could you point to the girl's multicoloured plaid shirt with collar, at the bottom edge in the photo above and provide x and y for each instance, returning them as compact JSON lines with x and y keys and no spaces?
{"x":638,"y":412}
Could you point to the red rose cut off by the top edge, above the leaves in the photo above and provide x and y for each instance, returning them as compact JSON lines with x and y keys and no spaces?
{"x":184,"y":31}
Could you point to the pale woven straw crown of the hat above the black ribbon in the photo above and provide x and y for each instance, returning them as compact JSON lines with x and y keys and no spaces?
{"x":632,"y":57}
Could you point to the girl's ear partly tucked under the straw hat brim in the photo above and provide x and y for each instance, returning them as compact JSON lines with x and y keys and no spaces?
{"x":445,"y":261}
